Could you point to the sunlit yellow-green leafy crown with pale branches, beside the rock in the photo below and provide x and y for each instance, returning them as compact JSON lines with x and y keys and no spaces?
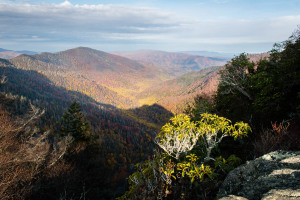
{"x":182,"y":135}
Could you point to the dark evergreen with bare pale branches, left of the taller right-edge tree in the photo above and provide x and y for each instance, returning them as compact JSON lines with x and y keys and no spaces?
{"x":234,"y":95}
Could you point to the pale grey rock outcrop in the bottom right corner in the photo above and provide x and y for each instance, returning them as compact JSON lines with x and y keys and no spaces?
{"x":275,"y":175}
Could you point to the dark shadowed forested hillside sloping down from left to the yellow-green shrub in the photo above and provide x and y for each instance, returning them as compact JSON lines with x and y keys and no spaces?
{"x":123,"y":136}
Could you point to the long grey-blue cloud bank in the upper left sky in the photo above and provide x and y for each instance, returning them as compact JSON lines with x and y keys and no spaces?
{"x":65,"y":16}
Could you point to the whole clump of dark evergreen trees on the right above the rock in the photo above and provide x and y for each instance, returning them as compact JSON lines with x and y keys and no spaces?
{"x":265,"y":92}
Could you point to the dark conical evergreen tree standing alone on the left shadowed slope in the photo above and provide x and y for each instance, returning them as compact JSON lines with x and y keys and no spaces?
{"x":74,"y":124}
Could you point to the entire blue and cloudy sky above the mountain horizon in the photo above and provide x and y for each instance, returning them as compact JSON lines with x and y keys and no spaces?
{"x":227,"y":26}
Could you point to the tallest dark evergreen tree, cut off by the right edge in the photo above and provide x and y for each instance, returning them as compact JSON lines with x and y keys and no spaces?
{"x":276,"y":82}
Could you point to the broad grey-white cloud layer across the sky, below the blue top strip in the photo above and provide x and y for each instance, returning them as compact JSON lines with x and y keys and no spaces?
{"x":55,"y":27}
